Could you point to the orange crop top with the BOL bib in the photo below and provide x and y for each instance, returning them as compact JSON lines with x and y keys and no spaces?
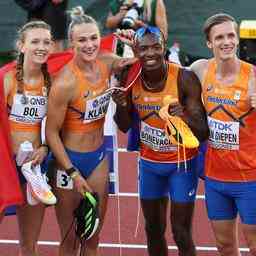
{"x":27,"y":110}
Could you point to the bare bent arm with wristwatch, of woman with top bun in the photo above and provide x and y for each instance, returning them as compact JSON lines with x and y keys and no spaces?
{"x":60,"y":95}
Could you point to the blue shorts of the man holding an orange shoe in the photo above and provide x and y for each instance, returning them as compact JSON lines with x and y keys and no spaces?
{"x":157,"y":180}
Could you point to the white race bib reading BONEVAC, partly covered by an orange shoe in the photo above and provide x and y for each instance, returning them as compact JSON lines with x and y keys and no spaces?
{"x":155,"y":138}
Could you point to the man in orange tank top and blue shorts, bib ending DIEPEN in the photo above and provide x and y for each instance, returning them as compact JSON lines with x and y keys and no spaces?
{"x":230,"y":185}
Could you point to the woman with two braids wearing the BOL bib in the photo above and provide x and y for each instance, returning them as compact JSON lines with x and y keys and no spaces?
{"x":26,"y":88}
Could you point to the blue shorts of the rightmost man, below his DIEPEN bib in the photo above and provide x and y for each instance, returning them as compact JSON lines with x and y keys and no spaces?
{"x":225,"y":199}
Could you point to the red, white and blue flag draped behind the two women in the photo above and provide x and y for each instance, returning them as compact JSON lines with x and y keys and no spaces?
{"x":10,"y":192}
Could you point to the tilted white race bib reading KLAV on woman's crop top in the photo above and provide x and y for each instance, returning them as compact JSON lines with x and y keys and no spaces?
{"x":96,"y":108}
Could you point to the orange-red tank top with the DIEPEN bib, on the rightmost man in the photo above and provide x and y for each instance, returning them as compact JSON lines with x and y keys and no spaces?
{"x":232,"y":143}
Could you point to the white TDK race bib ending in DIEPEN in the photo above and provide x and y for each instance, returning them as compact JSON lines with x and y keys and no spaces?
{"x":223,"y":135}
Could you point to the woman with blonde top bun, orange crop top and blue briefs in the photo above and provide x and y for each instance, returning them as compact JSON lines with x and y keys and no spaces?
{"x":78,"y":103}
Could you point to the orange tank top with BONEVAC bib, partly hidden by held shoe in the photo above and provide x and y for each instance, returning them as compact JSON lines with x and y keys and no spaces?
{"x":154,"y":143}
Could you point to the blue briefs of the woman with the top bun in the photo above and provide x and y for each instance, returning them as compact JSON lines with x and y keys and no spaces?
{"x":87,"y":162}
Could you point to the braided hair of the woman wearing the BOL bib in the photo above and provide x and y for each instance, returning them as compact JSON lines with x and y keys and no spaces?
{"x":20,"y":57}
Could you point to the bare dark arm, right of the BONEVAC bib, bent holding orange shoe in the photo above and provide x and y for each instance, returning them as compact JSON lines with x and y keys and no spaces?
{"x":190,"y":97}
